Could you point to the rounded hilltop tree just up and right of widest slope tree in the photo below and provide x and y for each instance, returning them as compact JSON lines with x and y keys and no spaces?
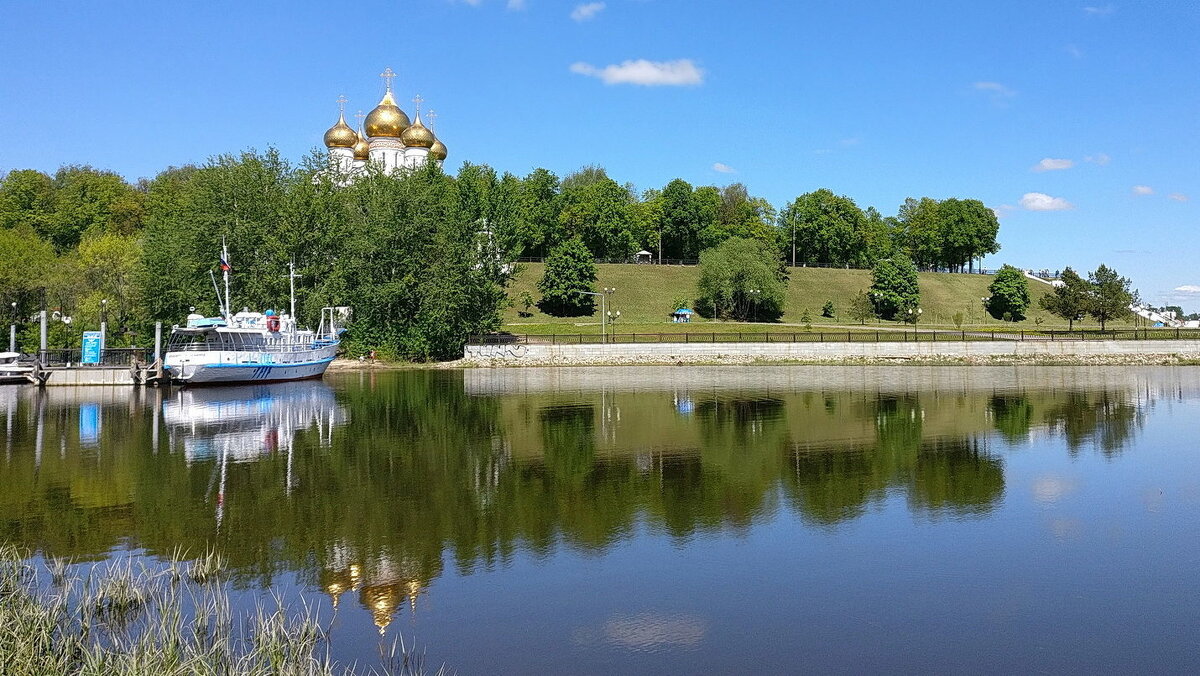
{"x":830,"y":230}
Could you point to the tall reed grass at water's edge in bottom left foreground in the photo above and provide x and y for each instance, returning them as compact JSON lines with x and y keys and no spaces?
{"x":127,"y":618}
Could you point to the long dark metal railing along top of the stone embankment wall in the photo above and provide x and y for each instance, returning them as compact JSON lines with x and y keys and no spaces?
{"x":836,"y":337}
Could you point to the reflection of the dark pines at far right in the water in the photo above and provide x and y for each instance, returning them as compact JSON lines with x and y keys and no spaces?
{"x":1106,"y":420}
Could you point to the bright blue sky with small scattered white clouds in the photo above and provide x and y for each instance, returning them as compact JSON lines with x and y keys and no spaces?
{"x":877,"y":101}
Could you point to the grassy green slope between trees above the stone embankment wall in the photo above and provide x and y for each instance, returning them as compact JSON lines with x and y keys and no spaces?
{"x":645,"y":296}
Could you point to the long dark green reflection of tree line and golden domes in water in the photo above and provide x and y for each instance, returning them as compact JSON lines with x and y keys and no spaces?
{"x":425,"y":471}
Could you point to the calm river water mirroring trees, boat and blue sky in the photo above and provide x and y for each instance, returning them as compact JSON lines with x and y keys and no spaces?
{"x":661,"y":521}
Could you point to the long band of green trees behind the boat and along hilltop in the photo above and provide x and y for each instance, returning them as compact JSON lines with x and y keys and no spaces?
{"x":422,"y":258}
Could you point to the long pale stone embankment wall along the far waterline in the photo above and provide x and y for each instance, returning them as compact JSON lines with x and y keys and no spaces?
{"x":981,"y":352}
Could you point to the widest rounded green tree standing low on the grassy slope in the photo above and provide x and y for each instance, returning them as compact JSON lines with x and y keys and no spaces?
{"x":731,"y":271}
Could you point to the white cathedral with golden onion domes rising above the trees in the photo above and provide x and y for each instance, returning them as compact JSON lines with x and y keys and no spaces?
{"x":387,"y":139}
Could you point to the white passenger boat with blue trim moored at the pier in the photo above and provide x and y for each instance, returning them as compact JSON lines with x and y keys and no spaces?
{"x":250,"y":348}
